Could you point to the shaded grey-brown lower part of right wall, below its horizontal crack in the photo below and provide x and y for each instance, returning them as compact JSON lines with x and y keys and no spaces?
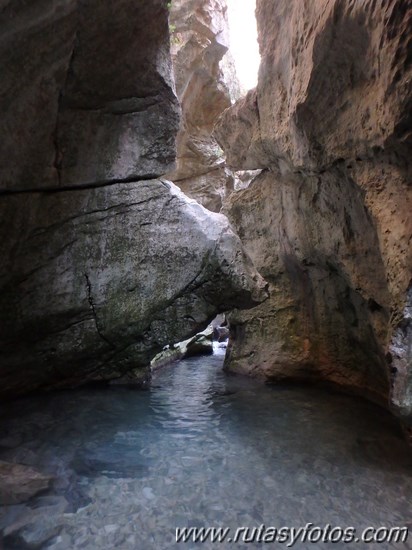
{"x":327,"y":315}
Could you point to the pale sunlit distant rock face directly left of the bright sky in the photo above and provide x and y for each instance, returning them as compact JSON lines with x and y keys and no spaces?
{"x":206,"y":85}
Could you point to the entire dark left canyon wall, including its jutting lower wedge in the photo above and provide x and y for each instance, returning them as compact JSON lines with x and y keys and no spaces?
{"x":102,"y":263}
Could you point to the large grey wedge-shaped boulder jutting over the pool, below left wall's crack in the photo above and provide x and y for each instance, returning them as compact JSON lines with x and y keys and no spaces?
{"x":95,"y":282}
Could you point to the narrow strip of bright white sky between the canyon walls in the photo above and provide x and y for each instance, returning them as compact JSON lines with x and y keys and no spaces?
{"x":243,"y":38}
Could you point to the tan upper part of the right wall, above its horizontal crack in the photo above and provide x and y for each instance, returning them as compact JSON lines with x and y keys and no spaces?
{"x":334,"y":84}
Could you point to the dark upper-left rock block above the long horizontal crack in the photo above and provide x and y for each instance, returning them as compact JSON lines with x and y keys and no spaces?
{"x":86,"y":93}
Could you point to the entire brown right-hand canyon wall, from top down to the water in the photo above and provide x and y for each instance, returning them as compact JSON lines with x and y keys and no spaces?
{"x":328,"y":222}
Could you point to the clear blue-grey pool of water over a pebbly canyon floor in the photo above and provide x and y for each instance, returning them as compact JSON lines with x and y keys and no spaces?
{"x":200,"y":448}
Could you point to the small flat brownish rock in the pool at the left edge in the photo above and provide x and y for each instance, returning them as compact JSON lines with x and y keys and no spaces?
{"x":18,"y":483}
